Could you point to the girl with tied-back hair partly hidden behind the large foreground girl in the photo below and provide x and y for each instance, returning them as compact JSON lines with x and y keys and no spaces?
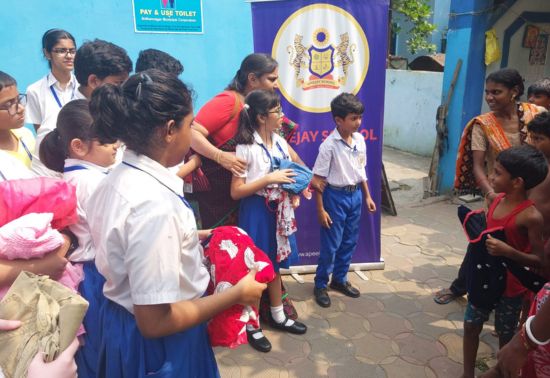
{"x":73,"y":149}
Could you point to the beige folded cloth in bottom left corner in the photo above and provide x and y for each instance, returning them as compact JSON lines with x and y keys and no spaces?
{"x":51,"y":315}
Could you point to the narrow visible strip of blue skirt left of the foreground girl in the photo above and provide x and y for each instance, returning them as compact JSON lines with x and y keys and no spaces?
{"x":91,"y":288}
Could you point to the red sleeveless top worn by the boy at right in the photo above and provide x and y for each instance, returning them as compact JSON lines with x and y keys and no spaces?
{"x":514,"y":237}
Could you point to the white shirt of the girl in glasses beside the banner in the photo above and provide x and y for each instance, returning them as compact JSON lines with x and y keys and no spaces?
{"x":258,"y":161}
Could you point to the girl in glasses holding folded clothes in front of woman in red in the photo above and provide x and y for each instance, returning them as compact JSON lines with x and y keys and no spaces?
{"x":264,"y":208}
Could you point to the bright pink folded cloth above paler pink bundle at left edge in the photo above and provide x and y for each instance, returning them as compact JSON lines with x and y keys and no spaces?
{"x":38,"y":195}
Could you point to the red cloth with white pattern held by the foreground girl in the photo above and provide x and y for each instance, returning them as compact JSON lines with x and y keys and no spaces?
{"x":231,"y":254}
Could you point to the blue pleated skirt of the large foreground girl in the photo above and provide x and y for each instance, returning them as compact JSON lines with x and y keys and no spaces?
{"x":125,"y":353}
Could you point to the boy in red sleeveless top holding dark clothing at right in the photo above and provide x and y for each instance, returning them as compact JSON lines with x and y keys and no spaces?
{"x":517,"y":170}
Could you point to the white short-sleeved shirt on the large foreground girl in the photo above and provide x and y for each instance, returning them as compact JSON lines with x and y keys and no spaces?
{"x":146,"y":240}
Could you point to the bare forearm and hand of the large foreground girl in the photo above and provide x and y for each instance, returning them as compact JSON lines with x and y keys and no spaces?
{"x":165,"y":319}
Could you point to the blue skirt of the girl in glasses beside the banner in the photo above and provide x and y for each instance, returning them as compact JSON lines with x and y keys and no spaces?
{"x":258,"y":219}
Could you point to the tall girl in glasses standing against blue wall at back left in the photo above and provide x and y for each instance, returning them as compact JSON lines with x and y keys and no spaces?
{"x":47,"y":96}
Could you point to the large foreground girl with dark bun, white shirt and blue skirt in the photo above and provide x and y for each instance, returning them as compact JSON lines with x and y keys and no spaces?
{"x":146,"y":240}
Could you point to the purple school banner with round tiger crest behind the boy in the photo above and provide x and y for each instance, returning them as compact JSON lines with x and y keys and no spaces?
{"x":323,"y":49}
